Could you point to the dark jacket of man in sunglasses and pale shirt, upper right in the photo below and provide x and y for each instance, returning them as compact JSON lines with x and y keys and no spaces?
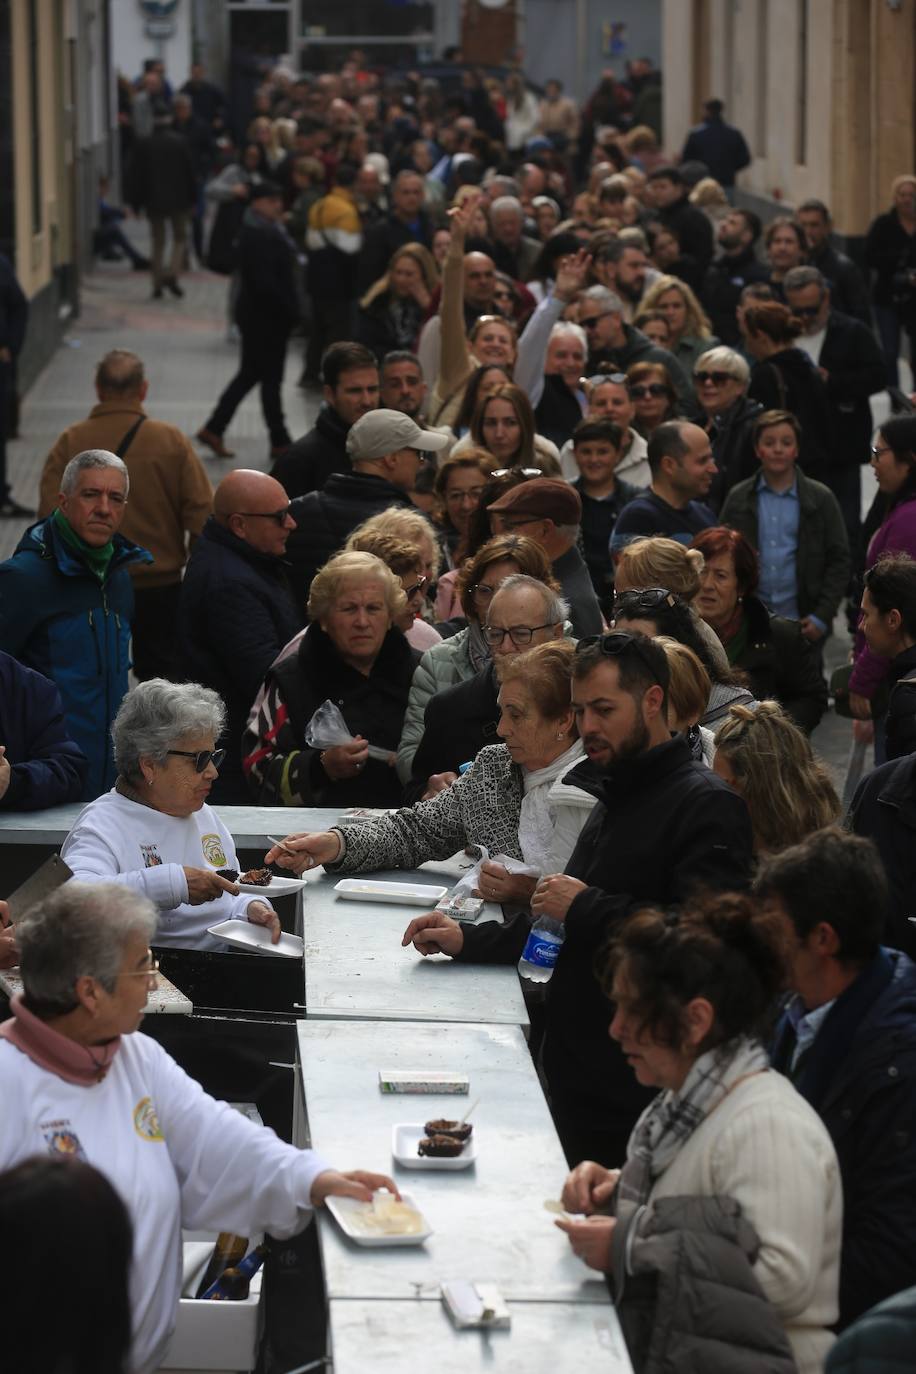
{"x":855,"y":365}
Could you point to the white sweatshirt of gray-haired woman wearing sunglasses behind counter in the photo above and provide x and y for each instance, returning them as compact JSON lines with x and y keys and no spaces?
{"x":117,"y":840}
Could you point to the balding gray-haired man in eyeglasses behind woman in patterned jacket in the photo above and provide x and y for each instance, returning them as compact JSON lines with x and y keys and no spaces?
{"x":461,"y":721}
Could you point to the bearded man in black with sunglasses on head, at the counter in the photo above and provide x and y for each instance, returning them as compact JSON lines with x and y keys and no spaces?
{"x":665,"y":828}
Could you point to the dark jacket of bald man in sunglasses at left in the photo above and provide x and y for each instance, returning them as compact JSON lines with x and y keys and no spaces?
{"x":234,"y":619}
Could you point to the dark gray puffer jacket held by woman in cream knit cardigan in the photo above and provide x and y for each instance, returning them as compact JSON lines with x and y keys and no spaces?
{"x":686,"y":1292}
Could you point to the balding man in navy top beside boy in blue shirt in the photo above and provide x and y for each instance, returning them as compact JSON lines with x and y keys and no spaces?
{"x":683,"y":469}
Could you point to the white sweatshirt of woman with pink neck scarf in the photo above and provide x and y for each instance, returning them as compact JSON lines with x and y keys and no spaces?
{"x":175,"y":1155}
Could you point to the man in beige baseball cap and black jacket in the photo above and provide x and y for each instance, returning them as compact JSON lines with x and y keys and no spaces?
{"x":387,"y":451}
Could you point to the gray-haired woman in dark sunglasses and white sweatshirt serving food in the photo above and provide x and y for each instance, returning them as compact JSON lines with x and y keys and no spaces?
{"x":154,"y":832}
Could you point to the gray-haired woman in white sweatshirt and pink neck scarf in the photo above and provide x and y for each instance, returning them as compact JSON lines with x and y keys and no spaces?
{"x":76,"y":1079}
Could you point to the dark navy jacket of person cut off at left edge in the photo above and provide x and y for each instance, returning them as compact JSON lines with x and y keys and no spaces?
{"x":47,"y":769}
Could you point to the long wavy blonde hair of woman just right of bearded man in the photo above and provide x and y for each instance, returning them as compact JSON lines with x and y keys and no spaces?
{"x":766,"y":758}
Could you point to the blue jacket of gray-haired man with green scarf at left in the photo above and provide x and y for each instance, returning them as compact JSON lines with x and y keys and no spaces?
{"x":58,"y":619}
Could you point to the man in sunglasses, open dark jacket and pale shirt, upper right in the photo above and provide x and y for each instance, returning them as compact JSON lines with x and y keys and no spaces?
{"x":849,"y":361}
